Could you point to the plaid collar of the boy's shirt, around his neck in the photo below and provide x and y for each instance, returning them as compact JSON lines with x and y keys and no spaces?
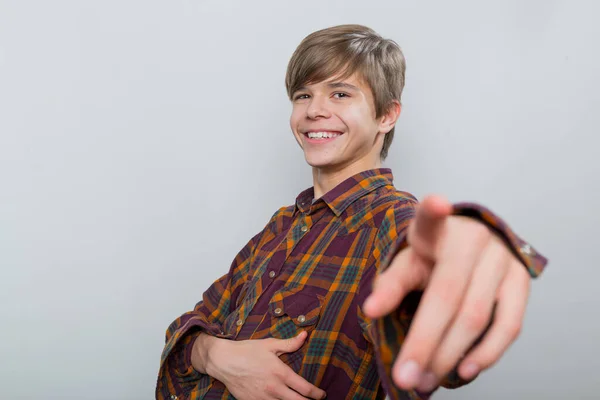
{"x":347,"y":192}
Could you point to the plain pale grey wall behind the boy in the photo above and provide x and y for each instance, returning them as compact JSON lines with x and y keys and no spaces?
{"x":142,"y":143}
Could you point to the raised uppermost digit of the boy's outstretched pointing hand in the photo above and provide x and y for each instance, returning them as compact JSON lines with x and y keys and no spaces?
{"x":427,"y":227}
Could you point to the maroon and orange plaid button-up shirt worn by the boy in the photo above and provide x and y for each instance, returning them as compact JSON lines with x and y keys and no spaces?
{"x":311,"y":268}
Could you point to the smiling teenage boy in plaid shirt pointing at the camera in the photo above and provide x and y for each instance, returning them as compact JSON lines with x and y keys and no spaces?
{"x":321,"y":300}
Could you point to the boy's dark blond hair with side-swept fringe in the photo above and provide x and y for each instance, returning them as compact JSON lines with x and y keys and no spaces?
{"x":344,"y":50}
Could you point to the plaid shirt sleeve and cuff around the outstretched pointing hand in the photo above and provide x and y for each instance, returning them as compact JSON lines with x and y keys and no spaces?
{"x":388,"y":333}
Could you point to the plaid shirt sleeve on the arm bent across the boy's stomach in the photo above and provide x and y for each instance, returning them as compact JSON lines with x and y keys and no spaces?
{"x":176,"y":373}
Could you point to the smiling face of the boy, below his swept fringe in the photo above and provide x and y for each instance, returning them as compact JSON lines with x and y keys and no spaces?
{"x":334,"y":123}
